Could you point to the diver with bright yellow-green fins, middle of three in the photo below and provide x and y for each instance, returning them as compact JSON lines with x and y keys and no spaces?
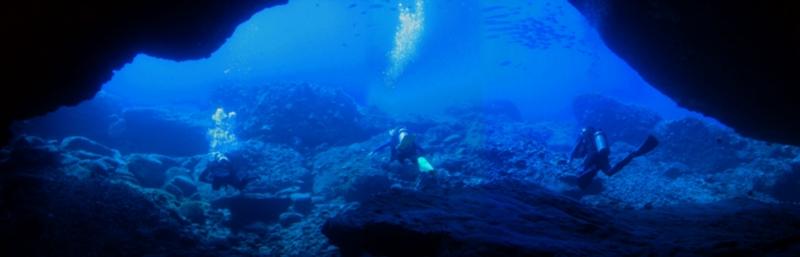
{"x":404,"y":147}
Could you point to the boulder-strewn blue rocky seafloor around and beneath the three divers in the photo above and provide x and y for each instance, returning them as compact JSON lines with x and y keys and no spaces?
{"x":127,"y":183}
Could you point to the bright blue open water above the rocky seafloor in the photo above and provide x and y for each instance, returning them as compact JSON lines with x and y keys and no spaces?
{"x":538,"y":54}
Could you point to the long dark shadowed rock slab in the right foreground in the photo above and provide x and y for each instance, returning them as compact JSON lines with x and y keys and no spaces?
{"x":513,"y":219}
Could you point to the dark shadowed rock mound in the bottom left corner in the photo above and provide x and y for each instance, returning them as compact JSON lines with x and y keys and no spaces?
{"x":87,"y":217}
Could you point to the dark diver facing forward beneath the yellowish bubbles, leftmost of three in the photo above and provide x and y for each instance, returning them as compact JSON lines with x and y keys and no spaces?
{"x":222,"y":172}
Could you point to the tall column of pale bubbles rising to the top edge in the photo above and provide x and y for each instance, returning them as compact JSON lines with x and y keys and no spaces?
{"x":406,"y":39}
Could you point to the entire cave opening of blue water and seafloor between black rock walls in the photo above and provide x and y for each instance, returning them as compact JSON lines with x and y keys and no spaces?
{"x":269,"y":146}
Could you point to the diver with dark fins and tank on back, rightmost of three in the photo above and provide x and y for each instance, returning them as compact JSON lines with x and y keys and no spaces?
{"x":593,"y":146}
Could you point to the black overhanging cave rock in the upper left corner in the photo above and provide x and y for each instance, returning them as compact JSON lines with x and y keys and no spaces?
{"x":63,"y":52}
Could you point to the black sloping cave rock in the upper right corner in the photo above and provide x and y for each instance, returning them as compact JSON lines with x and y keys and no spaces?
{"x":731,"y":60}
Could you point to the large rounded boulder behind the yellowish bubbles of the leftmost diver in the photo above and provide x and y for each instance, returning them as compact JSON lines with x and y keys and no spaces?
{"x":297,"y":114}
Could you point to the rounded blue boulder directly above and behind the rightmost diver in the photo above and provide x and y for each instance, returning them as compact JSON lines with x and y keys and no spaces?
{"x":620,"y":122}
